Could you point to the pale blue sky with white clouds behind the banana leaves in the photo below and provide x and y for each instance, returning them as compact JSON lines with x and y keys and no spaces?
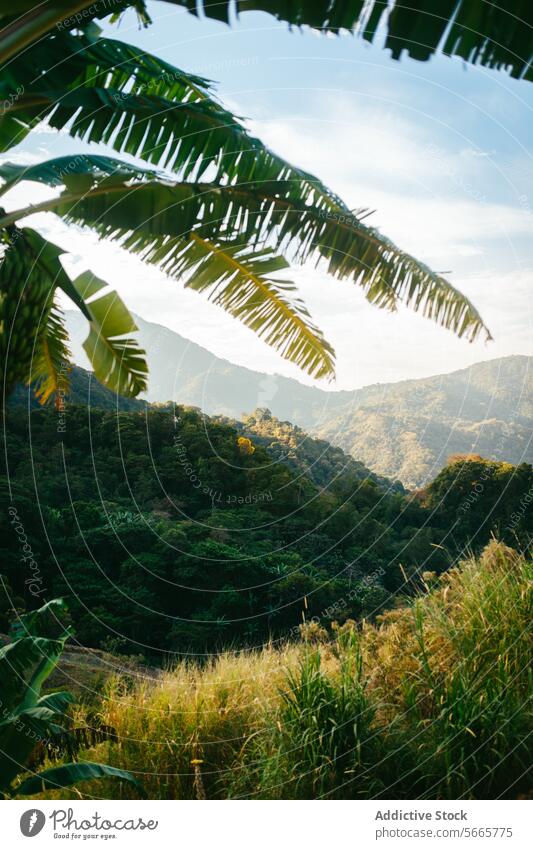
{"x":440,"y":150}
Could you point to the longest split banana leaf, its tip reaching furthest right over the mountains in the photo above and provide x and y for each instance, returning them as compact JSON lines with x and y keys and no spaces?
{"x":147,"y":216}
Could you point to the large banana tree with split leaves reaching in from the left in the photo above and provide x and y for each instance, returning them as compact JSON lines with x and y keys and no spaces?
{"x":209,"y":205}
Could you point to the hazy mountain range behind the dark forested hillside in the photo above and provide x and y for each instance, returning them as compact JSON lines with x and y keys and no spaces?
{"x":402,"y":430}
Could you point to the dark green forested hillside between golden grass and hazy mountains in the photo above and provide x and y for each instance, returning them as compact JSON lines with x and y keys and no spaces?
{"x":170,"y":532}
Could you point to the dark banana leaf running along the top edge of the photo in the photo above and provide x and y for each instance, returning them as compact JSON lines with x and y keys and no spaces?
{"x":494,"y":35}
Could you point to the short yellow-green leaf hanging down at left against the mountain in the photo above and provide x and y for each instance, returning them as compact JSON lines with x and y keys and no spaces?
{"x":117,"y":360}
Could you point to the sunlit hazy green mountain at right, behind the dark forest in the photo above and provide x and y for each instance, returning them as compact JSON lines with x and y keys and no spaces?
{"x":408,"y":430}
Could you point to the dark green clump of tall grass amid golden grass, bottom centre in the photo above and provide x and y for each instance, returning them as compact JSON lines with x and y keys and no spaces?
{"x":323,"y":738}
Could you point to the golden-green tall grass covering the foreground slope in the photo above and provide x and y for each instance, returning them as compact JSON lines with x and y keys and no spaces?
{"x":434,"y":701}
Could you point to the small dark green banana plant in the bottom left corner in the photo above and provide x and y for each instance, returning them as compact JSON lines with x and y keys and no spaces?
{"x":28,"y":717}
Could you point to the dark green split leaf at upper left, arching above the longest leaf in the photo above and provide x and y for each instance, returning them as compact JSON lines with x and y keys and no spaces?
{"x":185,"y":137}
